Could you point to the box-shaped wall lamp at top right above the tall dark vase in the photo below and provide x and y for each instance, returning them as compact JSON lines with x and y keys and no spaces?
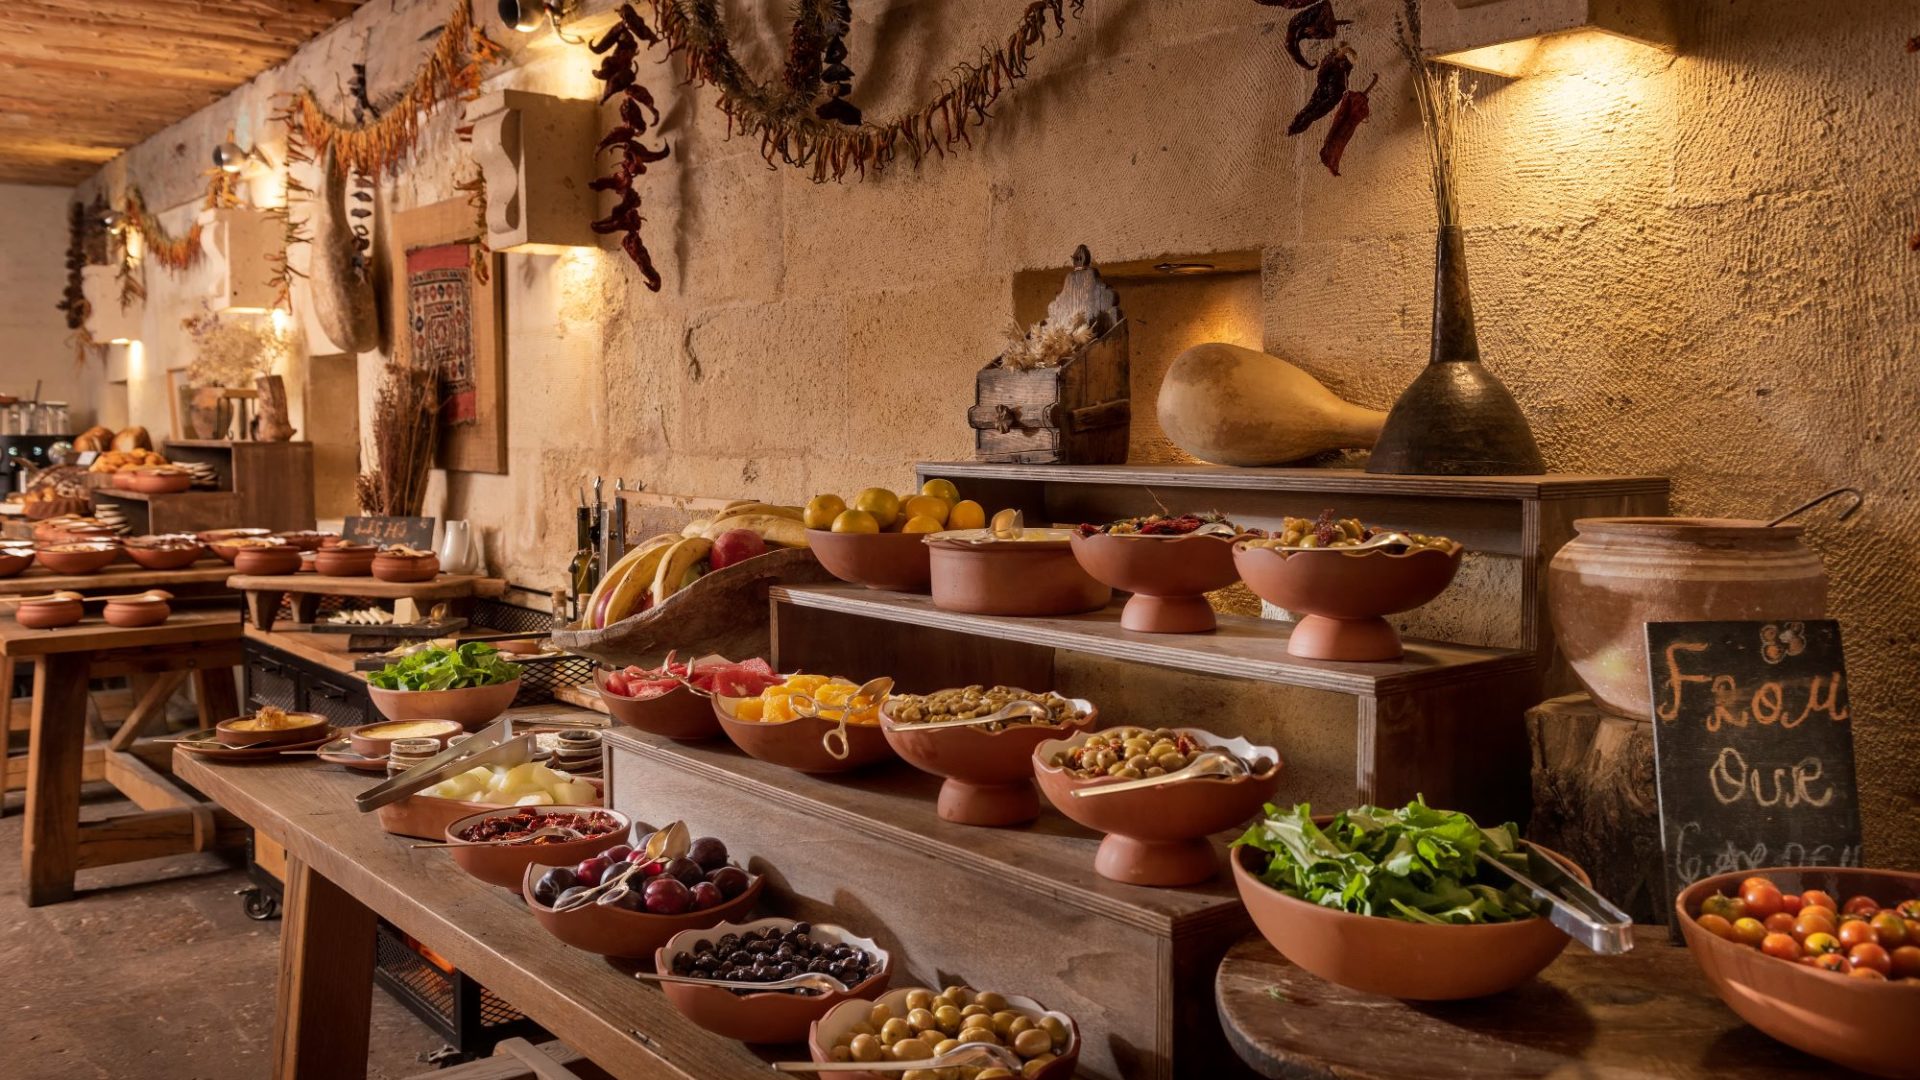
{"x":1508,"y":37}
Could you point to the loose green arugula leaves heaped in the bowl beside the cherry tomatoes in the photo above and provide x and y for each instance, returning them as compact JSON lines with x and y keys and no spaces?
{"x":1412,"y":864}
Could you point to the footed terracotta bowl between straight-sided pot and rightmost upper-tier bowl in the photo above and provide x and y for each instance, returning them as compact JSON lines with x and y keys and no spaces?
{"x":1166,"y":576}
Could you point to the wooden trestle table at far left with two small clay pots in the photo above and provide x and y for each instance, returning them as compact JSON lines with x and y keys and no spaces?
{"x":57,"y":845}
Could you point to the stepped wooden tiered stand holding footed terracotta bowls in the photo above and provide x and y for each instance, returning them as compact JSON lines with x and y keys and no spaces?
{"x":1024,"y":908}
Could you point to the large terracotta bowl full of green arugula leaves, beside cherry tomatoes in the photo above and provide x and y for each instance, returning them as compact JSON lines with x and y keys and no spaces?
{"x":1395,"y":902}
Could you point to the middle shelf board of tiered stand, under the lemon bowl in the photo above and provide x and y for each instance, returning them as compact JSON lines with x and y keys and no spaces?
{"x":1241,"y":649}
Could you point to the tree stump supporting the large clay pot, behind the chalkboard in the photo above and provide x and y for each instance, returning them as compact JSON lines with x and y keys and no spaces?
{"x":1595,"y":800}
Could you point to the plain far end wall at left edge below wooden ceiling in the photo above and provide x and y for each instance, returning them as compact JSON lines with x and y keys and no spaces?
{"x":34,"y":274}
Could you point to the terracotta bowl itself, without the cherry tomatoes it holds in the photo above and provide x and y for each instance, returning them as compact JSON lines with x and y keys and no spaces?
{"x":1848,"y":1021}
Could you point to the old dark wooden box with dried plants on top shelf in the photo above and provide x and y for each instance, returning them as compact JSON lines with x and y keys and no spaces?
{"x":1068,"y":414}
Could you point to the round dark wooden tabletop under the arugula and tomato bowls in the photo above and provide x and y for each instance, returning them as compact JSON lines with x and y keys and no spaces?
{"x":1648,"y":1014}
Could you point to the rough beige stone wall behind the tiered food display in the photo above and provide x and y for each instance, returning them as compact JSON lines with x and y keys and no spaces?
{"x":1691,"y":266}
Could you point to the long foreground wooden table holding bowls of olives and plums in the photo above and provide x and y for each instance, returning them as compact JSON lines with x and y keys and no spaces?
{"x":343,"y":871}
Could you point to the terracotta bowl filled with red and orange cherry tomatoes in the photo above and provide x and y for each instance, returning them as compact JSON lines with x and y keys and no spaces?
{"x":1821,"y":958}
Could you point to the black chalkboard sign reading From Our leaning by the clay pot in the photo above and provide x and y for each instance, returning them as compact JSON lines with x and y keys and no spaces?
{"x":1752,"y":749}
